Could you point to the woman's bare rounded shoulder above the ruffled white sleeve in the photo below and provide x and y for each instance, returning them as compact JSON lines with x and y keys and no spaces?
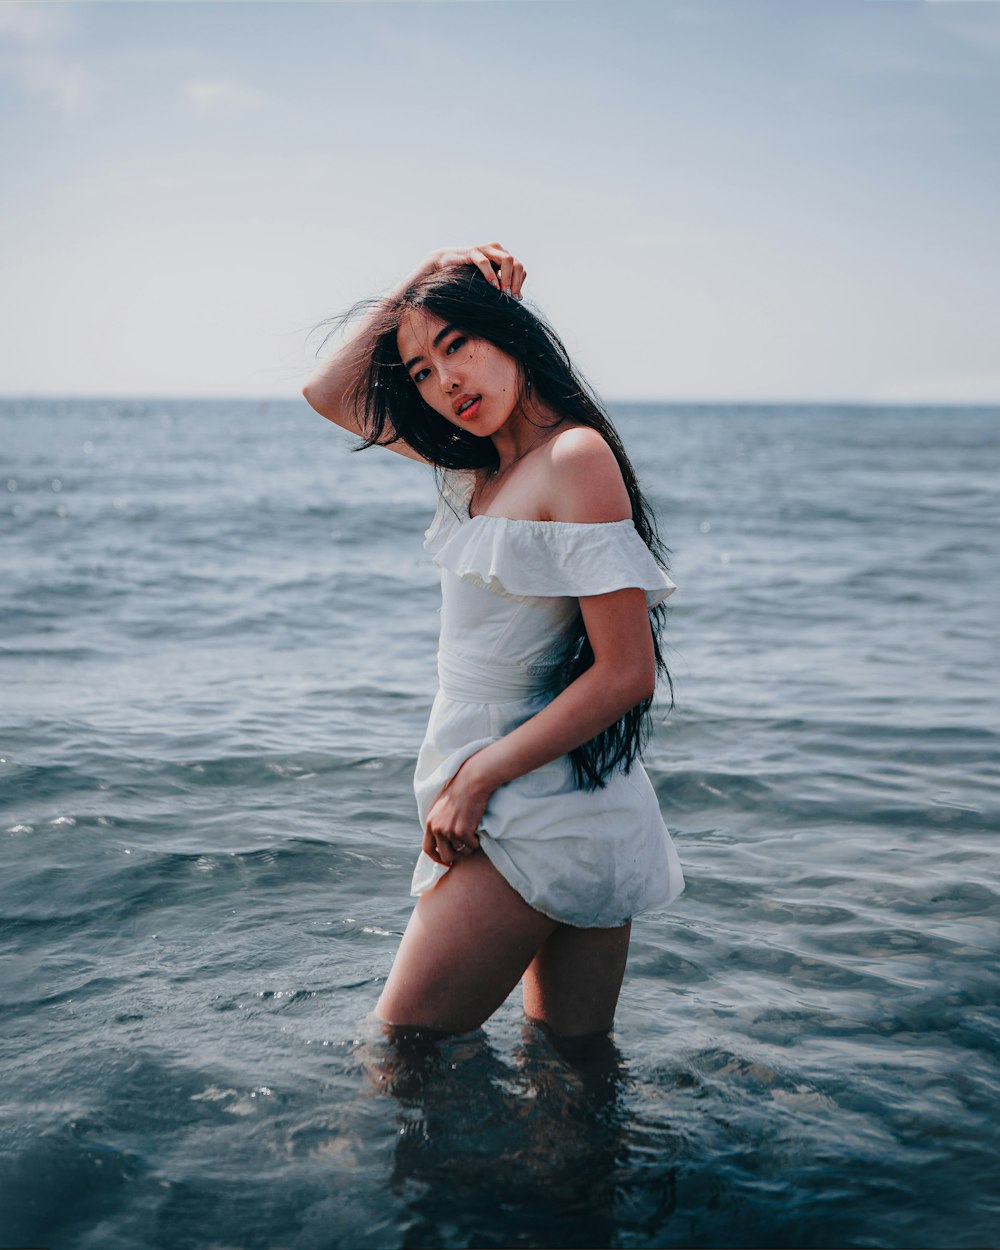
{"x":586,"y":483}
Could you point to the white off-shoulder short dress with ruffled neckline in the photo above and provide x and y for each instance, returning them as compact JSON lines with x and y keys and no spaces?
{"x":588,"y":858}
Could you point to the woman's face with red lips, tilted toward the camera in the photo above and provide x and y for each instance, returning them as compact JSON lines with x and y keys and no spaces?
{"x":469,"y":382}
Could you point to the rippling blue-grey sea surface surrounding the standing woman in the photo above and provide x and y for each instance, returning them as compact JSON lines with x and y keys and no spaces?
{"x":217,"y":659}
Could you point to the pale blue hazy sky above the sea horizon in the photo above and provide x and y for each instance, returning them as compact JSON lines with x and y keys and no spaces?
{"x":742,"y":201}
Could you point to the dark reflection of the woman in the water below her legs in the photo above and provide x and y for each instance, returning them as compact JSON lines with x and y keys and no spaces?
{"x":497,"y":1151}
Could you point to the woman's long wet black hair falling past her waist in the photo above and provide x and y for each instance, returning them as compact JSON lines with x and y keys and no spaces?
{"x":389,"y":408}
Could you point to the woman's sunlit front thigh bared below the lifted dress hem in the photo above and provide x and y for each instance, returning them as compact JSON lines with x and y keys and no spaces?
{"x":466,"y":948}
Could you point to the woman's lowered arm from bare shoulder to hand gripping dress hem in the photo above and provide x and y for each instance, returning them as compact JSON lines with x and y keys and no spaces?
{"x":624,"y":673}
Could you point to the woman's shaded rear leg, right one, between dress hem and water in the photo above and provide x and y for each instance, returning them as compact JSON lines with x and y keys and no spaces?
{"x":573,"y":983}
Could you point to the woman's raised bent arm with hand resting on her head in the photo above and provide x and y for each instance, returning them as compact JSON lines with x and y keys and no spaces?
{"x":328,"y":391}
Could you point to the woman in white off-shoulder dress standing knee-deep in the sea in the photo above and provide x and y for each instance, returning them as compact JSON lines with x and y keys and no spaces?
{"x":542,"y":832}
